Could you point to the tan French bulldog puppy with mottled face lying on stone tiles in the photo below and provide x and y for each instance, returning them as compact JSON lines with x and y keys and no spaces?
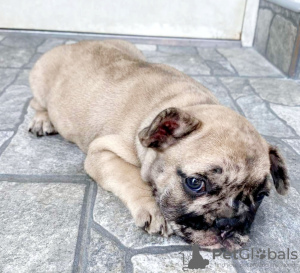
{"x":159,"y":140}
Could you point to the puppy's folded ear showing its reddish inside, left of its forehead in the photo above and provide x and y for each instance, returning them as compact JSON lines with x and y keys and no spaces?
{"x":167,"y":128}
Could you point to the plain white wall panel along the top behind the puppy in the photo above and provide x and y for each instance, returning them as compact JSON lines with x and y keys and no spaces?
{"x":219,"y":19}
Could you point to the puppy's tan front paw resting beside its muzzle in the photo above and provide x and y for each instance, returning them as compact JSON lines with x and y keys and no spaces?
{"x":149,"y":217}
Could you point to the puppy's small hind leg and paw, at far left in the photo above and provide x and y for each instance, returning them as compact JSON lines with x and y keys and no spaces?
{"x":40,"y":124}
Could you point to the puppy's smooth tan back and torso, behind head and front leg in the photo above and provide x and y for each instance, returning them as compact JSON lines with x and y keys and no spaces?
{"x":90,"y":89}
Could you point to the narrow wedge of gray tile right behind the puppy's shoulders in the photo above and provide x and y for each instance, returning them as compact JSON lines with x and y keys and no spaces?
{"x":218,"y":90}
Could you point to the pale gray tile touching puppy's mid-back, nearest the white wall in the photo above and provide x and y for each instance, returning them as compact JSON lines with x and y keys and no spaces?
{"x":189,"y":64}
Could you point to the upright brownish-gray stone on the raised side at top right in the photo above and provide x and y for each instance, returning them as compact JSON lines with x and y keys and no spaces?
{"x":281,"y":43}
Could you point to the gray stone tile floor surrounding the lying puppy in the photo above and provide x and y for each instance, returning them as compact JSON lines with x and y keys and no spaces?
{"x":53,"y":218}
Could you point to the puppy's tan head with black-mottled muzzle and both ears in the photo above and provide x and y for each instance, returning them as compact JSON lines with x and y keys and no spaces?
{"x":209,"y":169}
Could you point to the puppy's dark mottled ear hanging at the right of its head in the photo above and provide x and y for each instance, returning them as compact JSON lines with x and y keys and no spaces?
{"x":278,"y":171}
